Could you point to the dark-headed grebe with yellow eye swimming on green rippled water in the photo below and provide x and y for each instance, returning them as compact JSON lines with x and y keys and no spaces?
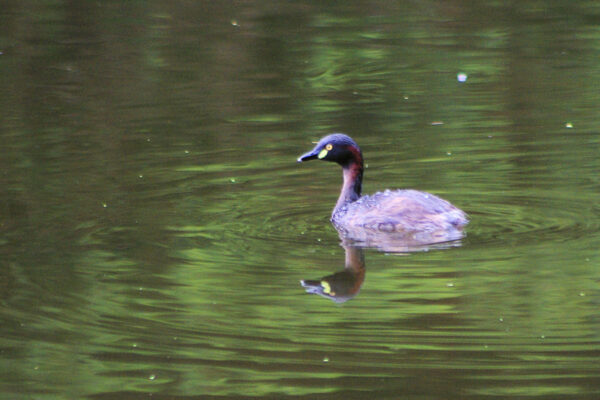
{"x":398,"y":211}
